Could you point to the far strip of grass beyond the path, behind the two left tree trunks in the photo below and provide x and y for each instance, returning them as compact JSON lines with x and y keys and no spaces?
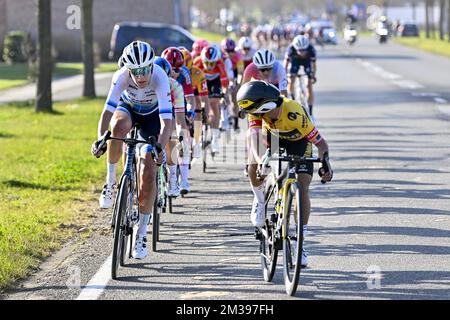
{"x":17,"y":74}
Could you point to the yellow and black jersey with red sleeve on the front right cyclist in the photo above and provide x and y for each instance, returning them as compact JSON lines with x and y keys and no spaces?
{"x":293,"y":124}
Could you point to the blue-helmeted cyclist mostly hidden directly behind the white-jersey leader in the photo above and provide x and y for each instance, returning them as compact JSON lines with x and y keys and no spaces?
{"x":177,"y":95}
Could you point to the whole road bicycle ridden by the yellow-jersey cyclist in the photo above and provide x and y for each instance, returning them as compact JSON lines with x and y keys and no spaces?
{"x":284,"y":219}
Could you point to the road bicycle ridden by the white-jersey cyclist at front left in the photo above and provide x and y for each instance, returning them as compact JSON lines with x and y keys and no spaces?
{"x":126,"y":204}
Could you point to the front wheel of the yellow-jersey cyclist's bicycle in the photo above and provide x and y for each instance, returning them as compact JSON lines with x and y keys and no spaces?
{"x":293,"y":242}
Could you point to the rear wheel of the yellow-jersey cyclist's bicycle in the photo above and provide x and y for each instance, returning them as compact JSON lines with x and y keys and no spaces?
{"x":268,"y":242}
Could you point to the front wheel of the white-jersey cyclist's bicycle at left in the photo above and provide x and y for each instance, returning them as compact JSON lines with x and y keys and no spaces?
{"x":119,"y":226}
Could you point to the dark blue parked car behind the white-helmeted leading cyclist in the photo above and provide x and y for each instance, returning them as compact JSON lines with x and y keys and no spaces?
{"x":159,"y":35}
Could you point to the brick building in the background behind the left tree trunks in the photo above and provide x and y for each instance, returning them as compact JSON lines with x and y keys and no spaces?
{"x":22,"y":15}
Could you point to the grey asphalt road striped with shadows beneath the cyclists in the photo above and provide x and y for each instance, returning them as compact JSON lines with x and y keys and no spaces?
{"x":380,"y":230}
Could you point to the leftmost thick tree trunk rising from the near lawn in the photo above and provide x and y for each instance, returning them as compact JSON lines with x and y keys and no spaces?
{"x":44,"y":48}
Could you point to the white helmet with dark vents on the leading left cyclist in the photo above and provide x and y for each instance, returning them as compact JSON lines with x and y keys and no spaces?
{"x":137,"y":54}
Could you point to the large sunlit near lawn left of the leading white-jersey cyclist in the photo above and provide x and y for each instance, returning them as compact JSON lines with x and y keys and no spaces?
{"x":47,"y":180}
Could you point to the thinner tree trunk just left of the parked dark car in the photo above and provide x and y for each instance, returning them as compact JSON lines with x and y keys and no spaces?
{"x":88,"y":50}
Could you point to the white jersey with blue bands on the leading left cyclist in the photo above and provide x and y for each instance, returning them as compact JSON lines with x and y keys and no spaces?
{"x":155,"y":96}
